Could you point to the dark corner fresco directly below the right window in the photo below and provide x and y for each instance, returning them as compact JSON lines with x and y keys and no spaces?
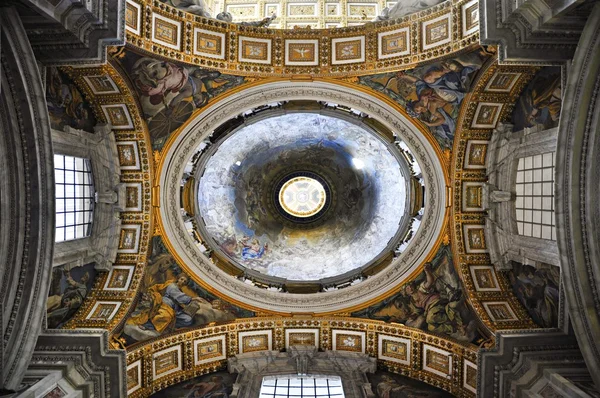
{"x":538,"y":290}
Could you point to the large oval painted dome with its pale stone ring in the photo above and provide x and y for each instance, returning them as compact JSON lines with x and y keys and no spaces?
{"x":223,"y":174}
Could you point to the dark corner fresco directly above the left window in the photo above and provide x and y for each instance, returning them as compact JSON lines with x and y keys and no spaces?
{"x":66,"y":104}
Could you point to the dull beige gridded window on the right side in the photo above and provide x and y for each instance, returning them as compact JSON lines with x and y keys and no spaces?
{"x":535,"y":196}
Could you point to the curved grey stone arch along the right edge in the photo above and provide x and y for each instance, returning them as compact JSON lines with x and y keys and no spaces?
{"x":576,"y":194}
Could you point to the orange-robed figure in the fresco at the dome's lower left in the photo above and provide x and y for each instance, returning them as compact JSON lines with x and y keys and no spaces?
{"x":170,"y":306}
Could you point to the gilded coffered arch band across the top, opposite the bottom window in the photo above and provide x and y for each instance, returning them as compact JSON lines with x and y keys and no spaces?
{"x":430,"y":34}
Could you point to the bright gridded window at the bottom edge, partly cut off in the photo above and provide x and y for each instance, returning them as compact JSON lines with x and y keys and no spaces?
{"x":301,"y":386}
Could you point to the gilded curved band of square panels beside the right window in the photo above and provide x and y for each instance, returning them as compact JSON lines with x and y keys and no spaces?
{"x":491,"y":102}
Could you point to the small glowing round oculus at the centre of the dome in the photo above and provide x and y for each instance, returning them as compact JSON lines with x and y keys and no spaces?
{"x":302,"y":197}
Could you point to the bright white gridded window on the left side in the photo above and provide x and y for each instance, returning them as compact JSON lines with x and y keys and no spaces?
{"x":74,"y":197}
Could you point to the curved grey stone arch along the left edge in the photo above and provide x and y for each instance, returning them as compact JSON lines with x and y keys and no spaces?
{"x":26,"y":200}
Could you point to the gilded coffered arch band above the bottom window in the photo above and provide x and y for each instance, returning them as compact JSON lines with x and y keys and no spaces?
{"x":440,"y":362}
